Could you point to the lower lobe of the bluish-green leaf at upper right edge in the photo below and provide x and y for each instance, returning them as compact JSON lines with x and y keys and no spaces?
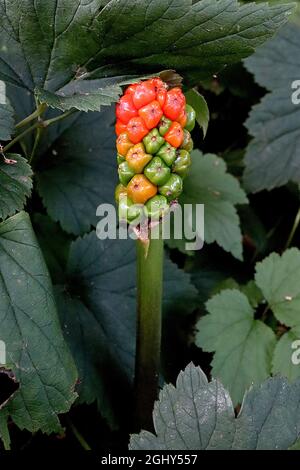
{"x":272,"y":158}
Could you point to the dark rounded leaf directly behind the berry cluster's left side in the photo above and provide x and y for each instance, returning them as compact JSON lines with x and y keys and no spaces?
{"x":79,"y":172}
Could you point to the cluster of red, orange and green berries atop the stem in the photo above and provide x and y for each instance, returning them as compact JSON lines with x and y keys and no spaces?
{"x":154,"y":143}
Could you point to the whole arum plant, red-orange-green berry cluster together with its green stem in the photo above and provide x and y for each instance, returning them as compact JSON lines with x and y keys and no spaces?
{"x":153,"y":128}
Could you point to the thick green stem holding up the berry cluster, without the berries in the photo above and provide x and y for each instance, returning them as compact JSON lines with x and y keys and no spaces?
{"x":149,"y":279}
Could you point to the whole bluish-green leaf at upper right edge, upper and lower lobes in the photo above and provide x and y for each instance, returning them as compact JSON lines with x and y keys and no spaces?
{"x":272,"y":158}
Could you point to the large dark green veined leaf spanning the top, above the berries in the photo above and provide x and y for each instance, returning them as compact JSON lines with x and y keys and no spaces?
{"x":48,"y":45}
